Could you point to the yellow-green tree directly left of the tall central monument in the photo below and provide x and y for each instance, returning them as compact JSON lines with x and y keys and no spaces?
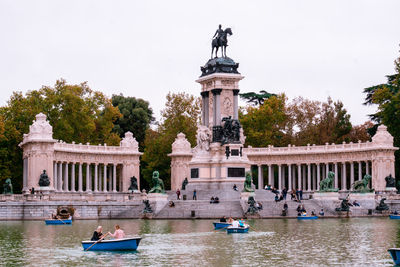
{"x":181,"y":114}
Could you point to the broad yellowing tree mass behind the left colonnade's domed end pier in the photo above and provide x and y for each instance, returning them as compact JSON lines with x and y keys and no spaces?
{"x":75,"y":112}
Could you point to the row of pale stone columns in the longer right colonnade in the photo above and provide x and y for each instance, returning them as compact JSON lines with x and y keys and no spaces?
{"x":307,"y":176}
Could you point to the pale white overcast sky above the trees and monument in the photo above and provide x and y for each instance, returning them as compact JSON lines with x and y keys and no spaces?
{"x":145,"y":49}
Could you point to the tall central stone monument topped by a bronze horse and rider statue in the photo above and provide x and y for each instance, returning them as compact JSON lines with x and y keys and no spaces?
{"x":217,"y":161}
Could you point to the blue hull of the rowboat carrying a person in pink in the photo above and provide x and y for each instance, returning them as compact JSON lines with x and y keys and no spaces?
{"x":123,"y":244}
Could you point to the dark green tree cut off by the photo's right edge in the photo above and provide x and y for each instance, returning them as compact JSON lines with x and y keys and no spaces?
{"x":387,"y":98}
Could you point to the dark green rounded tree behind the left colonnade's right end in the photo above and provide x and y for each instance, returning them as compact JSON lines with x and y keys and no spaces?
{"x":136,"y":117}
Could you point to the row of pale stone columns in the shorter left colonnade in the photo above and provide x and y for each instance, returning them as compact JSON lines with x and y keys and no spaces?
{"x":87,"y":177}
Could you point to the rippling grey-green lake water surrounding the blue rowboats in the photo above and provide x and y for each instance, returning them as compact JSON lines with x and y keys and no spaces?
{"x":276,"y":242}
